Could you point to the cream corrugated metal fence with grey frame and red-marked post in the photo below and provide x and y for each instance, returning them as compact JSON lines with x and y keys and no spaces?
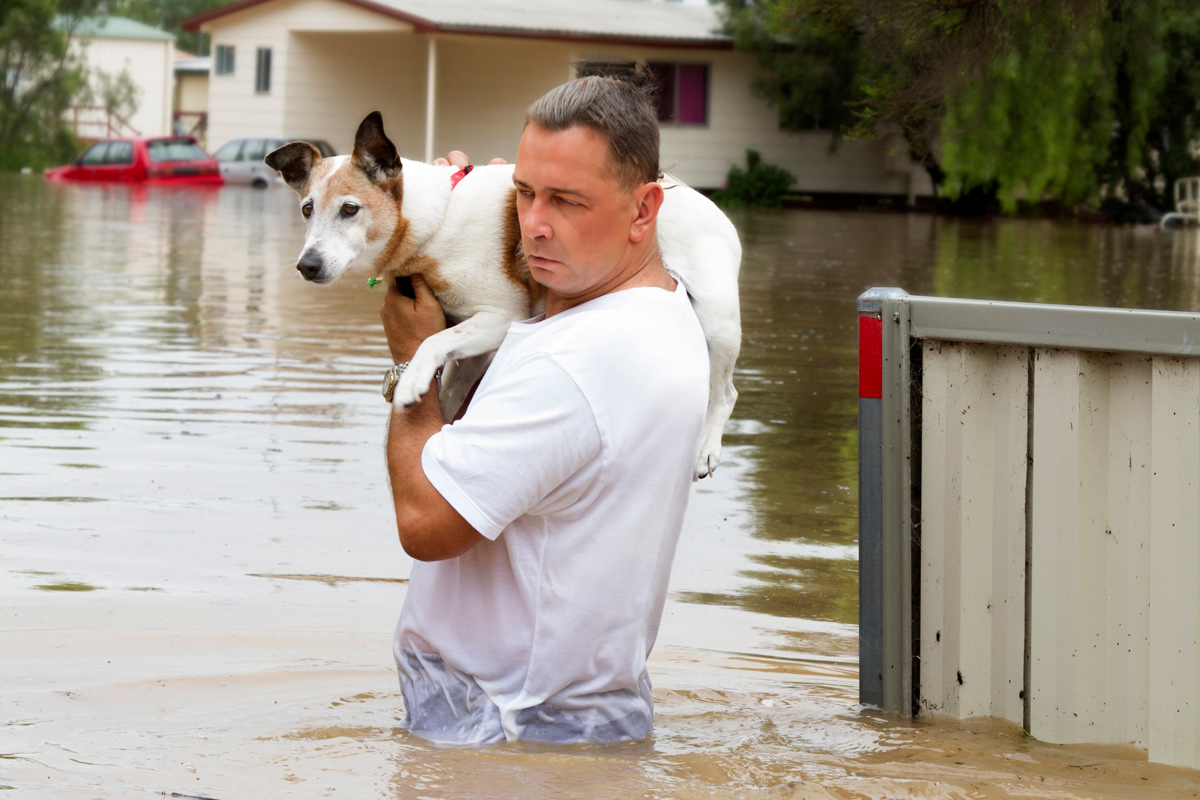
{"x":1030,"y":518}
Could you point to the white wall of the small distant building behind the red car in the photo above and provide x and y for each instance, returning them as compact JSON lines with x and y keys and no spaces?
{"x":149,"y":64}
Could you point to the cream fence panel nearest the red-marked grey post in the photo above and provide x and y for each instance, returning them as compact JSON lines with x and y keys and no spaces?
{"x":974,"y":471}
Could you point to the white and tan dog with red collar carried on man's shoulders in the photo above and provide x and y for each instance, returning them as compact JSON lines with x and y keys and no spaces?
{"x":376,"y":214}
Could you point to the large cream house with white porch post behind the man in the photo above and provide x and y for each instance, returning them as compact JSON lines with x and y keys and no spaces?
{"x":460,"y":74}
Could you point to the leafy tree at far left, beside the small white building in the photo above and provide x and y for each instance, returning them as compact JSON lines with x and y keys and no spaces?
{"x":39,"y":79}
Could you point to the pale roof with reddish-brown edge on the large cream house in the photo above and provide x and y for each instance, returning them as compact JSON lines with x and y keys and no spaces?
{"x":620,"y":21}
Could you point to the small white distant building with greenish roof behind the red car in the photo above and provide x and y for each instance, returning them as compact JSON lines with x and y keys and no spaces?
{"x":116,"y":46}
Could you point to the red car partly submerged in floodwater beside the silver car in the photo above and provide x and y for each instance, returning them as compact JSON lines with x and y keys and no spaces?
{"x":176,"y":160}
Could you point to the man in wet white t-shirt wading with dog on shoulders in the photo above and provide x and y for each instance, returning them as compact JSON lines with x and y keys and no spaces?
{"x":545,"y":520}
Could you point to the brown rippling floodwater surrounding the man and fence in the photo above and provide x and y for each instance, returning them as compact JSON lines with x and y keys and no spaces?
{"x":199,"y":567}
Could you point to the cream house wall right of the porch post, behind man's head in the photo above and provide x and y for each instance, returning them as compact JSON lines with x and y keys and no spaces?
{"x":485,"y":85}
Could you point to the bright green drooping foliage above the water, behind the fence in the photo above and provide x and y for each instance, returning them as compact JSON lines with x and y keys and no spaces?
{"x":1063,"y":124}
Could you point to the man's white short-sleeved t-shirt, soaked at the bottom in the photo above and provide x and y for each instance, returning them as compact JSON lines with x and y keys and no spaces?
{"x":574,"y":461}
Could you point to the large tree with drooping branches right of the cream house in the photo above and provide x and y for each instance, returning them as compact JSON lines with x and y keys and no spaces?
{"x":1064,"y":100}
